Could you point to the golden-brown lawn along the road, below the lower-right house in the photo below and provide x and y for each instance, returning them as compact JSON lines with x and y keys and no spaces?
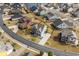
{"x":52,"y":43}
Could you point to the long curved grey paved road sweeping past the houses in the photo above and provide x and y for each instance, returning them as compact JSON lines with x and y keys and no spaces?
{"x":32,"y":44}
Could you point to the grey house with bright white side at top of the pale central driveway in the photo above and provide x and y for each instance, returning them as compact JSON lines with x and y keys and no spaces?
{"x":38,"y":29}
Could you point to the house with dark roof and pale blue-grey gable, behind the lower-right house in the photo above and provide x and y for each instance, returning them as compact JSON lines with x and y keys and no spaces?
{"x":63,"y":24}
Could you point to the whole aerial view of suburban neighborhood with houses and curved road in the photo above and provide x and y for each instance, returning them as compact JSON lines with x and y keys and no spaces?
{"x":39,"y":29}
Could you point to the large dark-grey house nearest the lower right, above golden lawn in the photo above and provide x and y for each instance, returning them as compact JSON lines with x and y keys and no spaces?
{"x":68,"y":37}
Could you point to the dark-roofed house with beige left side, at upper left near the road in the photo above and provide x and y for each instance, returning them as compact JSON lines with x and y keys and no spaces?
{"x":12,"y":14}
